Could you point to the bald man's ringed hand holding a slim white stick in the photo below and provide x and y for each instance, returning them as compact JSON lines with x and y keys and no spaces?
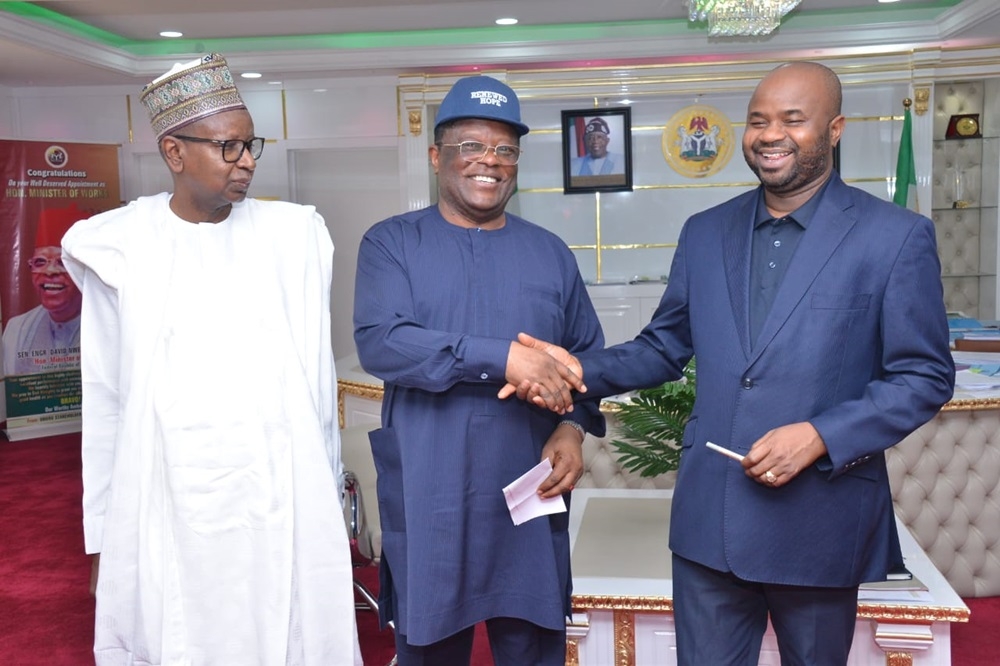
{"x":779,"y":456}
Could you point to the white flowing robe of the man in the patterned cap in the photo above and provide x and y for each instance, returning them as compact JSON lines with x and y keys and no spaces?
{"x":211,"y":455}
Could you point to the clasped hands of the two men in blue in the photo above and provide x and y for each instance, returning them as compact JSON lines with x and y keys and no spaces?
{"x":543,"y":373}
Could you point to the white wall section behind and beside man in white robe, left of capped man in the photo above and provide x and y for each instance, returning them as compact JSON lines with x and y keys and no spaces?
{"x":336,"y":149}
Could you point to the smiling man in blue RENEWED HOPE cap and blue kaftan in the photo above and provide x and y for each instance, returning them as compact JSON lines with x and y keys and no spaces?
{"x":441,"y":294}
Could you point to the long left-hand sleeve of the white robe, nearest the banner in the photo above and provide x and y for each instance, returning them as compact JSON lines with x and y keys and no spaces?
{"x":85,"y":251}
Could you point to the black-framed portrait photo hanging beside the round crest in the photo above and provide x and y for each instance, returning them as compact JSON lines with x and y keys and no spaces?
{"x":597,"y":150}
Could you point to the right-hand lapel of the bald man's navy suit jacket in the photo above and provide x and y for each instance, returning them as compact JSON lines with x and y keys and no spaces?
{"x":833,"y":220}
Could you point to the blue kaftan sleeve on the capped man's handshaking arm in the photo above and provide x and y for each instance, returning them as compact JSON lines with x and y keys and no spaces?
{"x":394,"y":346}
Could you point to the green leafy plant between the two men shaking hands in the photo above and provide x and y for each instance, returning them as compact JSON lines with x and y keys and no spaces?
{"x":651,"y":426}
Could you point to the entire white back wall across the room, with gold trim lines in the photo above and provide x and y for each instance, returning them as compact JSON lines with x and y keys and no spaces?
{"x":345,"y":145}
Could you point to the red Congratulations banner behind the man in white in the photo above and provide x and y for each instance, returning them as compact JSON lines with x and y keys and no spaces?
{"x":47,"y":186}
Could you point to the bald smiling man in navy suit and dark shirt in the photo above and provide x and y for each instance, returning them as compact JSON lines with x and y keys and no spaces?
{"x":816,"y":314}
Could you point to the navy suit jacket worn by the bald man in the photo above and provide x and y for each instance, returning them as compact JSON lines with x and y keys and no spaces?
{"x":856,"y":343}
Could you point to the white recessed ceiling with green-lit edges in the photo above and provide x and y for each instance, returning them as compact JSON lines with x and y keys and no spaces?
{"x":116,"y":41}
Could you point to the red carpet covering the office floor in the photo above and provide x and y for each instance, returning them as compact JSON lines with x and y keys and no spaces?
{"x":47,"y":615}
